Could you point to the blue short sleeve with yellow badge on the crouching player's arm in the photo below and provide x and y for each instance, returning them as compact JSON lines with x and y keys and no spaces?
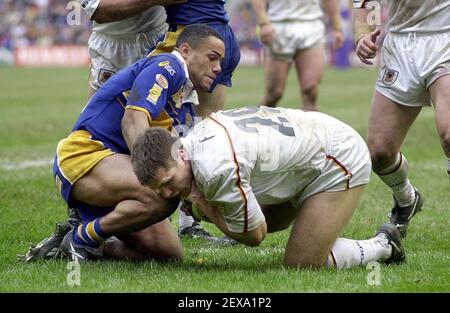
{"x":153,"y":87}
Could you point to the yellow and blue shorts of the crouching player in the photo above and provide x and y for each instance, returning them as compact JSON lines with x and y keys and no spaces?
{"x":75,"y":156}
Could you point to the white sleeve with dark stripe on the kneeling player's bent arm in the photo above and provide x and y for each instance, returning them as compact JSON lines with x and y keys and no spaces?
{"x":232,"y":194}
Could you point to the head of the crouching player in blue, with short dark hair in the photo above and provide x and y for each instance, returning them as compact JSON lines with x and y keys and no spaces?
{"x":203,"y":49}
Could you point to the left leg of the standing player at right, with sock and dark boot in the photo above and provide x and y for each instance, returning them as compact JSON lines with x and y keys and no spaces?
{"x":389,"y":123}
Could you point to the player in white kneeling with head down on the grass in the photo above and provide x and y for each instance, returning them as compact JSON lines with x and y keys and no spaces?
{"x":256,"y":170}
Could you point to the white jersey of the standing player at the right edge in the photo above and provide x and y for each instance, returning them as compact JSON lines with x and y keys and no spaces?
{"x":416,"y":15}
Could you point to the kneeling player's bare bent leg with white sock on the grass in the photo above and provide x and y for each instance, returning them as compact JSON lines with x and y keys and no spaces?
{"x":314,"y":238}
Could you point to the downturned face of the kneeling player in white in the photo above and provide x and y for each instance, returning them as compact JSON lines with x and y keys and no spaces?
{"x":174,"y":182}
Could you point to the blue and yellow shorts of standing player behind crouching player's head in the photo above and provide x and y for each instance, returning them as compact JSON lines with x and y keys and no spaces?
{"x":232,"y":51}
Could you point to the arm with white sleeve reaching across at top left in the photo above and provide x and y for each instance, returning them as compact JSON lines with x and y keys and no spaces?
{"x":106,"y":11}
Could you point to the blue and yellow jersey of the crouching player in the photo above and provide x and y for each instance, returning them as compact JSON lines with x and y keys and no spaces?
{"x":156,"y":86}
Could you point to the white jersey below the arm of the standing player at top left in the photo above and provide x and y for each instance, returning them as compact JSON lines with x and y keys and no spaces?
{"x":143,"y":22}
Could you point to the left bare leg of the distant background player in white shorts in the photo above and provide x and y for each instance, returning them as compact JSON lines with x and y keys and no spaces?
{"x":275,"y":75}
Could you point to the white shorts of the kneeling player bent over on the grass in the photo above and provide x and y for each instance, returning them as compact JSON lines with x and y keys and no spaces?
{"x":347,"y":163}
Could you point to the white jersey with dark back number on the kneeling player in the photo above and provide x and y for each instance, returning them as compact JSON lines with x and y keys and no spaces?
{"x":253,"y":155}
